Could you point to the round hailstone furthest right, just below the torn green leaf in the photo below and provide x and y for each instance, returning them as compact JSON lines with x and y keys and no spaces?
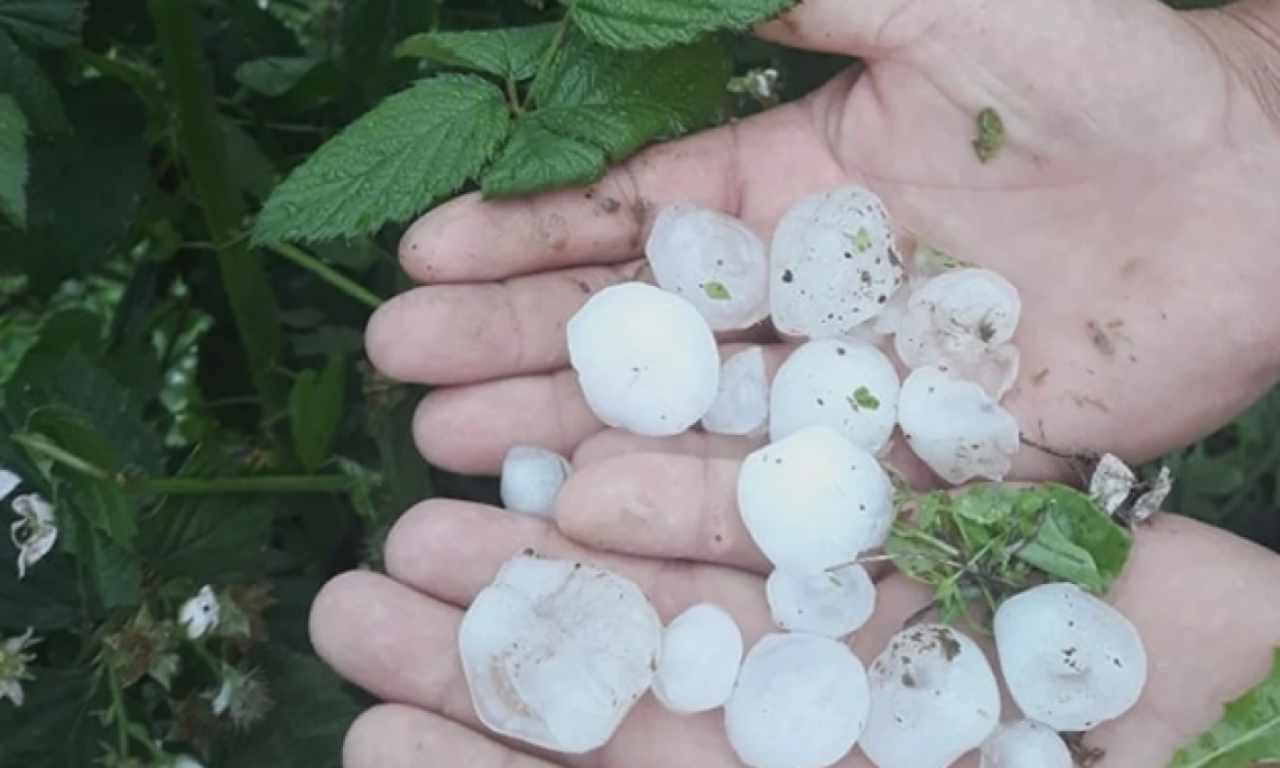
{"x":1069,"y":660}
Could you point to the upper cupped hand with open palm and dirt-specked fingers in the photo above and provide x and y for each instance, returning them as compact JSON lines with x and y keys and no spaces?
{"x":1131,"y":205}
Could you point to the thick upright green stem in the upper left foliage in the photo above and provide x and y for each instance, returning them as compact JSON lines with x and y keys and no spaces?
{"x":205,"y":152}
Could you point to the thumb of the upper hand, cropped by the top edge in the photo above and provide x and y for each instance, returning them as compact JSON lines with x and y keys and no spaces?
{"x":863,"y":29}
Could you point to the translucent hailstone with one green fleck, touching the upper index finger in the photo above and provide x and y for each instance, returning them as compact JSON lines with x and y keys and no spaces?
{"x":714,"y":262}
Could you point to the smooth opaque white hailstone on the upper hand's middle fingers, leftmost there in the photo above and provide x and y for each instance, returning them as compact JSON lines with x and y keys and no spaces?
{"x":646,"y":360}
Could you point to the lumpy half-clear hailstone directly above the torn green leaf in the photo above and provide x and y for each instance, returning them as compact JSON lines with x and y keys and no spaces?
{"x":957,"y":428}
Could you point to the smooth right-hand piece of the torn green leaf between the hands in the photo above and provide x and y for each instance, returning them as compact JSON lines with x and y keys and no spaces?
{"x":1076,"y":541}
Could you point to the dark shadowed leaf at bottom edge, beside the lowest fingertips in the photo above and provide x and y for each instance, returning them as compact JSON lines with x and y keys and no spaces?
{"x":307,"y":726}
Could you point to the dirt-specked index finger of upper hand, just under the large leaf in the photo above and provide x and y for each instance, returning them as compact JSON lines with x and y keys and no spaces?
{"x":474,"y":240}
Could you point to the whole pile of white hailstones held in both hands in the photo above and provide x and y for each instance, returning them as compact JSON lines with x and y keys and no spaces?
{"x":559,"y":653}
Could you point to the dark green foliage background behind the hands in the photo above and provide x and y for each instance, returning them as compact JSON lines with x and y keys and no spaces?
{"x":181,"y":452}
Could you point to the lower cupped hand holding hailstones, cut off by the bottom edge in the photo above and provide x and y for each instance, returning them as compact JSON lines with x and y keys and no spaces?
{"x":1203,"y":600}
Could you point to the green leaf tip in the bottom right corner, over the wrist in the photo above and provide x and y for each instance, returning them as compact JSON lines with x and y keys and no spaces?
{"x":1249,"y":734}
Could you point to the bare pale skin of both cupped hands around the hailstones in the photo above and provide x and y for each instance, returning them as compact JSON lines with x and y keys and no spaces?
{"x":1133,"y":207}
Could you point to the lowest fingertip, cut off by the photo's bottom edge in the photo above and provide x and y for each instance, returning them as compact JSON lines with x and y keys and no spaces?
{"x":399,"y":737}
